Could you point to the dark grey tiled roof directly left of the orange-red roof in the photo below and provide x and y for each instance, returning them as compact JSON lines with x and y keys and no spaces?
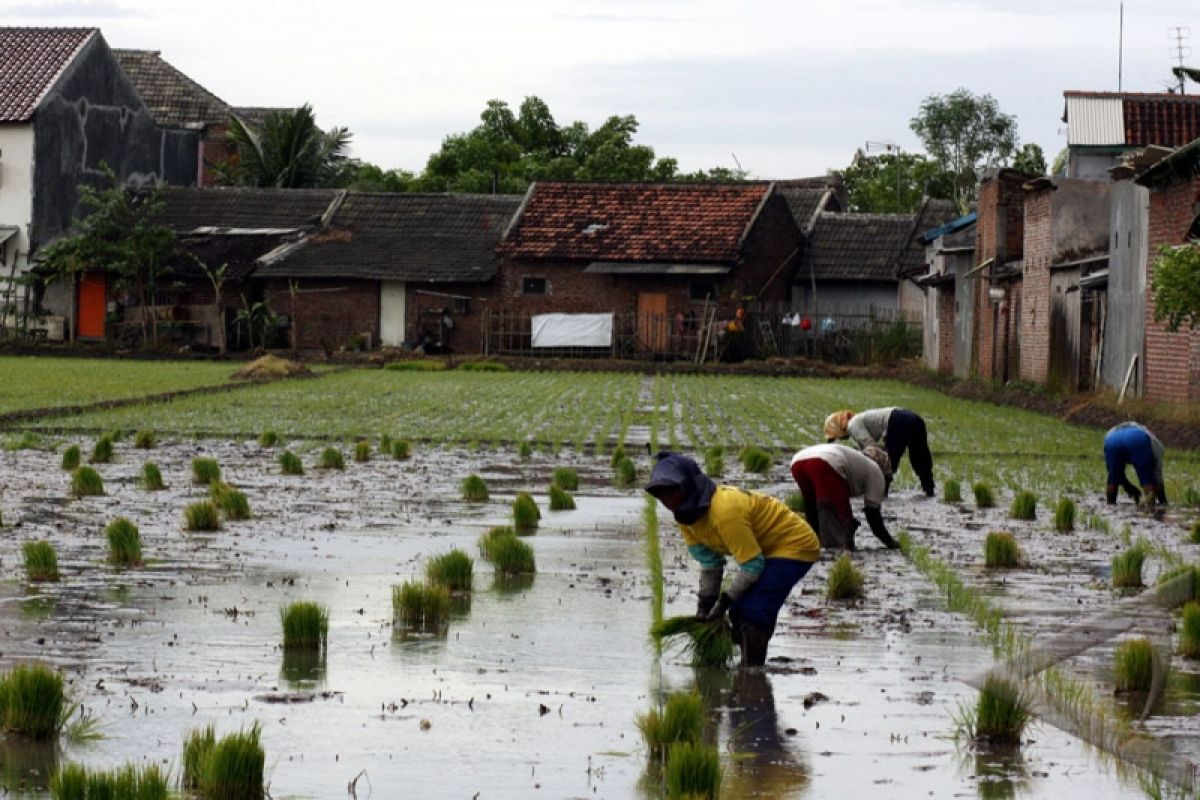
{"x":381,"y":237}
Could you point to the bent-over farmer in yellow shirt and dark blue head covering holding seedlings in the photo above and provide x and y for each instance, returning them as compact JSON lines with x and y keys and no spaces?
{"x":773,"y":548}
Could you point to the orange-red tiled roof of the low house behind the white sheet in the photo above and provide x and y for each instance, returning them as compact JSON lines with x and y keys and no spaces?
{"x":635,"y":222}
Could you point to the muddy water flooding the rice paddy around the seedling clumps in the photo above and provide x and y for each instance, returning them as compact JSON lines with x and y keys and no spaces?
{"x":533,"y":690}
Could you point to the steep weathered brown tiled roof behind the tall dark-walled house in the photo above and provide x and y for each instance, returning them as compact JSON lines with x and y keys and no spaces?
{"x":176,"y":100}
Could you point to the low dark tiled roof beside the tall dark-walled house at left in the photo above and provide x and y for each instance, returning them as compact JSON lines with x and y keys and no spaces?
{"x":189,"y":209}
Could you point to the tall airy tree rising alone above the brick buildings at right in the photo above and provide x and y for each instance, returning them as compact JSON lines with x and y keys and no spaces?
{"x":965,"y":135}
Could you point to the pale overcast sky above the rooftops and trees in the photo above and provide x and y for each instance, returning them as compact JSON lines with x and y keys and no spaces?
{"x":789,"y":88}
